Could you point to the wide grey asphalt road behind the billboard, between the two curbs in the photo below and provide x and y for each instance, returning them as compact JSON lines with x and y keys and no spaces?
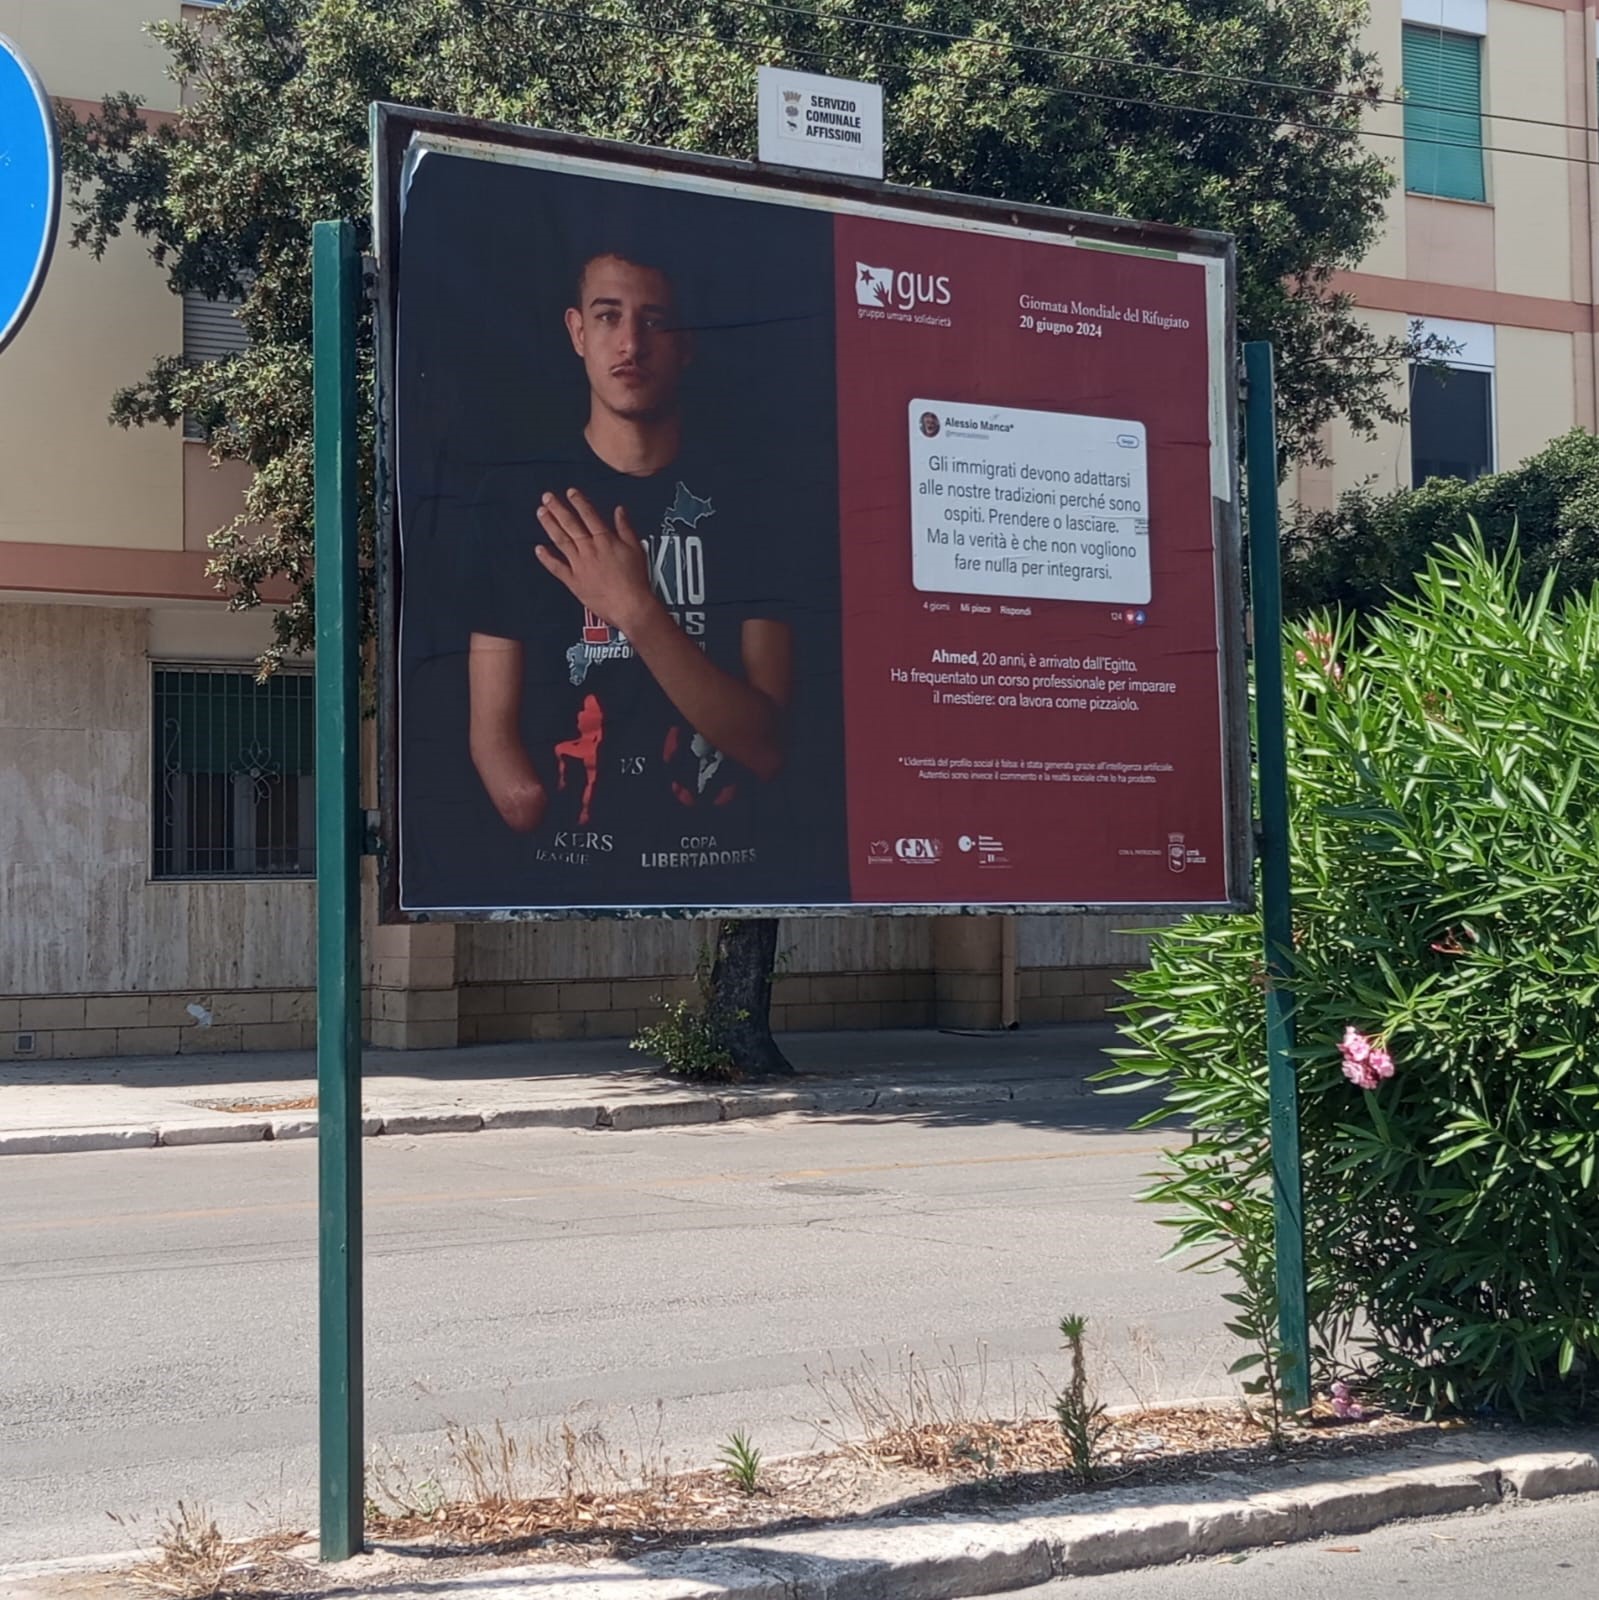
{"x":158,"y":1308}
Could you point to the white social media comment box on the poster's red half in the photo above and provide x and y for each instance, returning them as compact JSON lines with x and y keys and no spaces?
{"x":1028,"y":505}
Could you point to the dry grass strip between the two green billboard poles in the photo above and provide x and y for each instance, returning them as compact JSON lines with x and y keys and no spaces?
{"x":609,"y":1505}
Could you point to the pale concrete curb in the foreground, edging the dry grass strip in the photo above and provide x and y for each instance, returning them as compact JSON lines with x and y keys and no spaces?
{"x":947,"y":1558}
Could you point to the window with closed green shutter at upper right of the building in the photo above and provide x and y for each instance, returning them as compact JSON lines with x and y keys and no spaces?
{"x":1443,"y":78}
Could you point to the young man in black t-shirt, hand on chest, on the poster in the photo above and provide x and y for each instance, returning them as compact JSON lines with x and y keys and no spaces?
{"x":631,"y":678}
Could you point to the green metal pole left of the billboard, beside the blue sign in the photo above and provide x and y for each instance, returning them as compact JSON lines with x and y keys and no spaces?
{"x":335,"y":276}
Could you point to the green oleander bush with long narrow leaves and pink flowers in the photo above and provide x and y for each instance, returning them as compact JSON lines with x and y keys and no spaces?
{"x":1445,"y":775}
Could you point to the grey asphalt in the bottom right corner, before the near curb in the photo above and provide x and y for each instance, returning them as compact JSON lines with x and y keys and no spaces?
{"x":1545,"y":1550}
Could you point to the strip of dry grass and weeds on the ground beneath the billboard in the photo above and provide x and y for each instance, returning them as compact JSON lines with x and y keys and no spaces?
{"x":900,"y":1439}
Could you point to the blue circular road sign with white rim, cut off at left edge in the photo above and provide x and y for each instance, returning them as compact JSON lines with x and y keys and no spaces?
{"x":30,"y":188}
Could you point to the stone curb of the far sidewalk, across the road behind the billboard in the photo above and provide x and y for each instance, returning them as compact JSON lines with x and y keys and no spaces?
{"x":631,"y":1116}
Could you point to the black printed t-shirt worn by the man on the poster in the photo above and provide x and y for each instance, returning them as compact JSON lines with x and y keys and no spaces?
{"x":636,"y":796}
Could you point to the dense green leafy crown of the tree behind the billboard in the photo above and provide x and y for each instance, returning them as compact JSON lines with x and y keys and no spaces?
{"x":1241,"y":116}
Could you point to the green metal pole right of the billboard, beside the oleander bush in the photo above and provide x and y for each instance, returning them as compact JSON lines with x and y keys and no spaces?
{"x":1288,"y":1182}
